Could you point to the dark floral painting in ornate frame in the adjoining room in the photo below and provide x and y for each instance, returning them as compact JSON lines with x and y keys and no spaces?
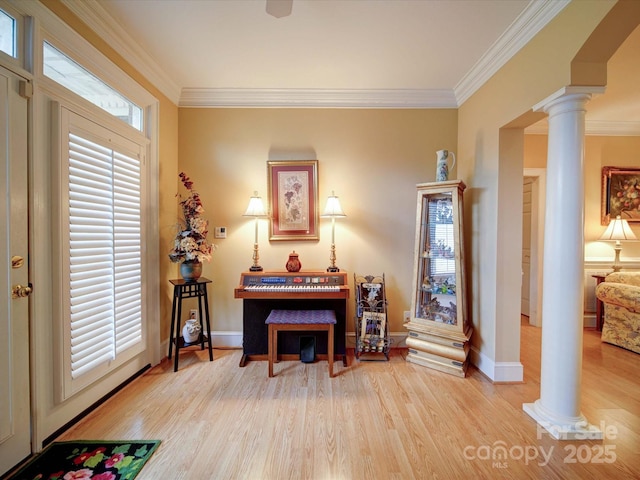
{"x":620,"y":194}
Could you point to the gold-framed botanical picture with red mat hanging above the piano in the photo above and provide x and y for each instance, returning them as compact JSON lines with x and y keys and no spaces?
{"x":293,"y":196}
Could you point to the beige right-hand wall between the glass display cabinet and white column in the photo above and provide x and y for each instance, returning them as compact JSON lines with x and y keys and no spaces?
{"x":541,"y":68}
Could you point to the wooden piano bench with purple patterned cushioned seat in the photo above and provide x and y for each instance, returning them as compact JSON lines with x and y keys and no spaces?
{"x":300,"y":320}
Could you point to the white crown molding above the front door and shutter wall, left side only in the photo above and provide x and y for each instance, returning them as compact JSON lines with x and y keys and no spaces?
{"x":95,"y":17}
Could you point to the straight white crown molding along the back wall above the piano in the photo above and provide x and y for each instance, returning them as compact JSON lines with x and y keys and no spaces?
{"x":315,"y":98}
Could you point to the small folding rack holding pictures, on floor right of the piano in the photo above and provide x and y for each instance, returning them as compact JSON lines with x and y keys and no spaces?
{"x":372,"y":332}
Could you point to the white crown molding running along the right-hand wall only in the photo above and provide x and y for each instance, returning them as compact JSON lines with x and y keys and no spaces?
{"x":533,"y":18}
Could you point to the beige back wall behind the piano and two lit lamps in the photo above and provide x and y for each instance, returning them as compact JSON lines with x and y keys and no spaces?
{"x":372,"y":159}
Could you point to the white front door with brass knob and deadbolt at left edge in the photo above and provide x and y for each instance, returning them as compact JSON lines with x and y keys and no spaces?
{"x":15,"y":431}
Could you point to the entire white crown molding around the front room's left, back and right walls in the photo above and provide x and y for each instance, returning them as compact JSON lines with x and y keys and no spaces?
{"x":535,"y":16}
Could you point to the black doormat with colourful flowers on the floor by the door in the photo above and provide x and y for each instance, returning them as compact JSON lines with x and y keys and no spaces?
{"x":89,"y":459}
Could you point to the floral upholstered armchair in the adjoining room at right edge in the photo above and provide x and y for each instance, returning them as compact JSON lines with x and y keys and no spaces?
{"x":620,"y":294}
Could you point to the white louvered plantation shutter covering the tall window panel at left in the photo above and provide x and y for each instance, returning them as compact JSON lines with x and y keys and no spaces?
{"x":104,"y":252}
